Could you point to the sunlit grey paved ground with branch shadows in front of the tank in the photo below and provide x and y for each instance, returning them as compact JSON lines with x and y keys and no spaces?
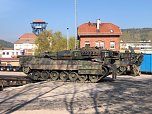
{"x":126,"y":95}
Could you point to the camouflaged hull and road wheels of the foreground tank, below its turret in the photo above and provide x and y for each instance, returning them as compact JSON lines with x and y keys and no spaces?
{"x":72,"y":70}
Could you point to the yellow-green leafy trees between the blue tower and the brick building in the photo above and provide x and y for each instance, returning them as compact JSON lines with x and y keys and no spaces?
{"x":54,"y":42}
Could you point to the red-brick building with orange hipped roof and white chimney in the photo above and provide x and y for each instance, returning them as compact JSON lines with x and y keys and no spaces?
{"x":104,"y":35}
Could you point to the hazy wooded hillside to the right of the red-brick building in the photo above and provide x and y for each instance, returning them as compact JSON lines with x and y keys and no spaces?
{"x":136,"y":34}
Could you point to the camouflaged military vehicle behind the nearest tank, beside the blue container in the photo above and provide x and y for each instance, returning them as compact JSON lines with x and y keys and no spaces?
{"x":129,"y":62}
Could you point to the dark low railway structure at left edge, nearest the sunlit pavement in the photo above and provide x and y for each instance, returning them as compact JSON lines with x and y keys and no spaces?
{"x":13,"y":80}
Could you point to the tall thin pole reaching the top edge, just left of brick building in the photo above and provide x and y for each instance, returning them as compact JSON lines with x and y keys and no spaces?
{"x":75,"y":5}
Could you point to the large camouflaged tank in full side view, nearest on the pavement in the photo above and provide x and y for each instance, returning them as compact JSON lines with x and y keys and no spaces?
{"x":73,"y":65}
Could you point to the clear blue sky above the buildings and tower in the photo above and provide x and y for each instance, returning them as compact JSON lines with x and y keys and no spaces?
{"x":16,"y":15}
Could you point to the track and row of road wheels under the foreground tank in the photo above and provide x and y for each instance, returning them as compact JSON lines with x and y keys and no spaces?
{"x":64,"y":76}
